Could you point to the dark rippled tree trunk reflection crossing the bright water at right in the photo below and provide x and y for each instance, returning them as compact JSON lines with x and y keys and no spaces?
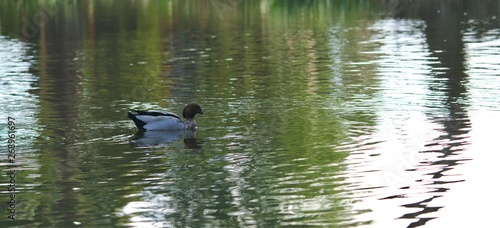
{"x":445,"y":41}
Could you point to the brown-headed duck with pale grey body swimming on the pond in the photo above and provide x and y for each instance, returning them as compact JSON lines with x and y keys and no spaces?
{"x":165,"y":121}
